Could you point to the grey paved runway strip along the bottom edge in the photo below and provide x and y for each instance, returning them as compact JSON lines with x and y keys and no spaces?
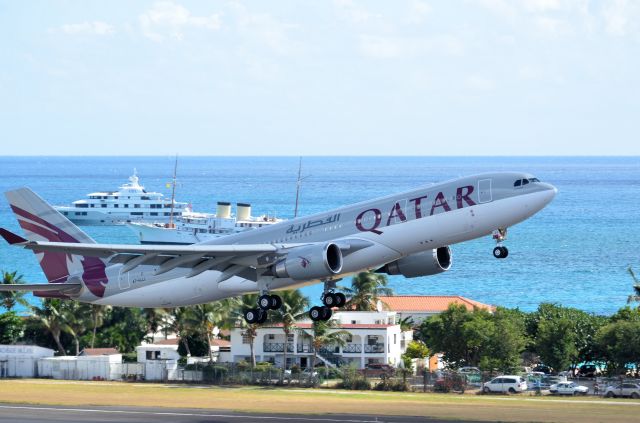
{"x":36,"y":414}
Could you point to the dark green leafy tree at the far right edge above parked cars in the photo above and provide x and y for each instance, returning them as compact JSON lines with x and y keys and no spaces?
{"x":620,"y":343}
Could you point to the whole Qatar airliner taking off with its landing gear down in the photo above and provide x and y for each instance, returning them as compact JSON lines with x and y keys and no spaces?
{"x":407,"y":234}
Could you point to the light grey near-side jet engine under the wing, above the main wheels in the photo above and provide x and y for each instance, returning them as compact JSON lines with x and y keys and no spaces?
{"x":310,"y":262}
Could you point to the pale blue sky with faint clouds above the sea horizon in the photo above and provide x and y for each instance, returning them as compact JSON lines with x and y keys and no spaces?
{"x":417,"y":77}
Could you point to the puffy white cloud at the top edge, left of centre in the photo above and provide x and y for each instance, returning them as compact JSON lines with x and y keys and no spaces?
{"x":169,"y":19}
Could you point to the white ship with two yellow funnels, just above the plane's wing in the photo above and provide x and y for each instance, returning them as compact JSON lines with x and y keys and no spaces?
{"x":192,"y":227}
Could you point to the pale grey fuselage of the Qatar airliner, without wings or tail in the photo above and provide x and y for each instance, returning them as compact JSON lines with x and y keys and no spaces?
{"x":401,"y":237}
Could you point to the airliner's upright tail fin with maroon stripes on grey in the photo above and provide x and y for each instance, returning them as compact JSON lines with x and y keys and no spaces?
{"x":41,"y":222}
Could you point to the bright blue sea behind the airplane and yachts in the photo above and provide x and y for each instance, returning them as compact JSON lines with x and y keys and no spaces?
{"x":575,"y":252}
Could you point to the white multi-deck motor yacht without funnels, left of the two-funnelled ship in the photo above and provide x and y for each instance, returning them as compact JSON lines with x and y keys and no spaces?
{"x":131,"y":203}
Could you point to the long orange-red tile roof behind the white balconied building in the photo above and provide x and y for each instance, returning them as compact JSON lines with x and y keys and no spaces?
{"x":430,"y":303}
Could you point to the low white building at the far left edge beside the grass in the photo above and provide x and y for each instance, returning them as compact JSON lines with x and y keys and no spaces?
{"x":21,"y":360}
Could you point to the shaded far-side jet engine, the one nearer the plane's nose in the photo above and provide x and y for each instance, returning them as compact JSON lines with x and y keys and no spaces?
{"x":420,"y":264}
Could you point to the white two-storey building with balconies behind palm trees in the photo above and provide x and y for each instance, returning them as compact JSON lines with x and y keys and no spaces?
{"x":374,"y":337}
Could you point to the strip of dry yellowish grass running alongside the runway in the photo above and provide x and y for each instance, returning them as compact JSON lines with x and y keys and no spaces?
{"x":320,"y":401}
